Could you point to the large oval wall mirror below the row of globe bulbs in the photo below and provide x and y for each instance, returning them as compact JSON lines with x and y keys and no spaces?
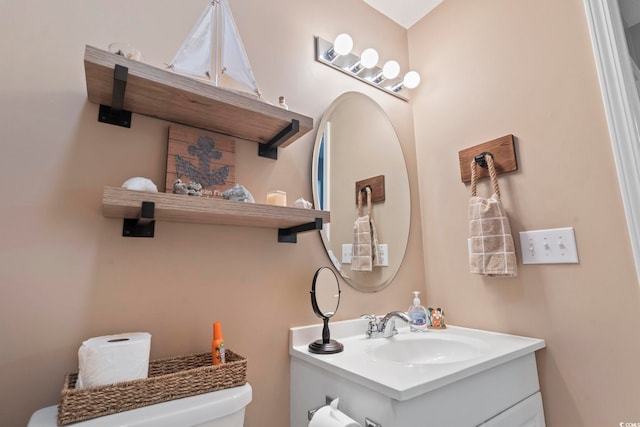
{"x":356,"y":141}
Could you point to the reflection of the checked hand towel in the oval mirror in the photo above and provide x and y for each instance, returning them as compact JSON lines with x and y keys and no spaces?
{"x":365,"y":238}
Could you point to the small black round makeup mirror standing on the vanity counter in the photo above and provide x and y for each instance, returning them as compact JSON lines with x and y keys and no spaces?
{"x":325,"y":298}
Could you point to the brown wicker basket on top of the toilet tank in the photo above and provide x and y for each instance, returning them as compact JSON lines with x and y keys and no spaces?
{"x":171,"y":378}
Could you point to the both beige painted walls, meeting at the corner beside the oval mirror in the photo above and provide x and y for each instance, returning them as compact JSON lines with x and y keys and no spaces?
{"x":489,"y":69}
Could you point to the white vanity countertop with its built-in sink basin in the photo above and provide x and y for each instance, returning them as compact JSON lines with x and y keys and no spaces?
{"x":410,"y":363}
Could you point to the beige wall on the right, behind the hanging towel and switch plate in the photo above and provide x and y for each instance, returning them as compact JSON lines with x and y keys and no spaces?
{"x":526,"y":68}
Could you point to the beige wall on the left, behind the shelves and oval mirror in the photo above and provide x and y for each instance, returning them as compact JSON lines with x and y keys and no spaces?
{"x":66,"y":274}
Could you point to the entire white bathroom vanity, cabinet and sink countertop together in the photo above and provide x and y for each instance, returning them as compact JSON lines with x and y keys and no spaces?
{"x":418,"y":378}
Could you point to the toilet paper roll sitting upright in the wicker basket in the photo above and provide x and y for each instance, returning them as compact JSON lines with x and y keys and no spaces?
{"x":113,"y":358}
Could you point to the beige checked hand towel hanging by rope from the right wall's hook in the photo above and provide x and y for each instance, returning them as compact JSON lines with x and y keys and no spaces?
{"x":491,"y":248}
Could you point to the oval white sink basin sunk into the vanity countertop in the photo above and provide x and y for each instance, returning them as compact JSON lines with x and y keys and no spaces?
{"x":426,"y":348}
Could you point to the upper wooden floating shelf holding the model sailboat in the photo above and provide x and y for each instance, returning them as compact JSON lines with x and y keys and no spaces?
{"x":166,"y":95}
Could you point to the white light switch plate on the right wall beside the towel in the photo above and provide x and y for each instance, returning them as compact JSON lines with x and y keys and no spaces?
{"x":552,"y":246}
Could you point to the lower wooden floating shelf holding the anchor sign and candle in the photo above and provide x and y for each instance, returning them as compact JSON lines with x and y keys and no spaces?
{"x":119,"y":202}
